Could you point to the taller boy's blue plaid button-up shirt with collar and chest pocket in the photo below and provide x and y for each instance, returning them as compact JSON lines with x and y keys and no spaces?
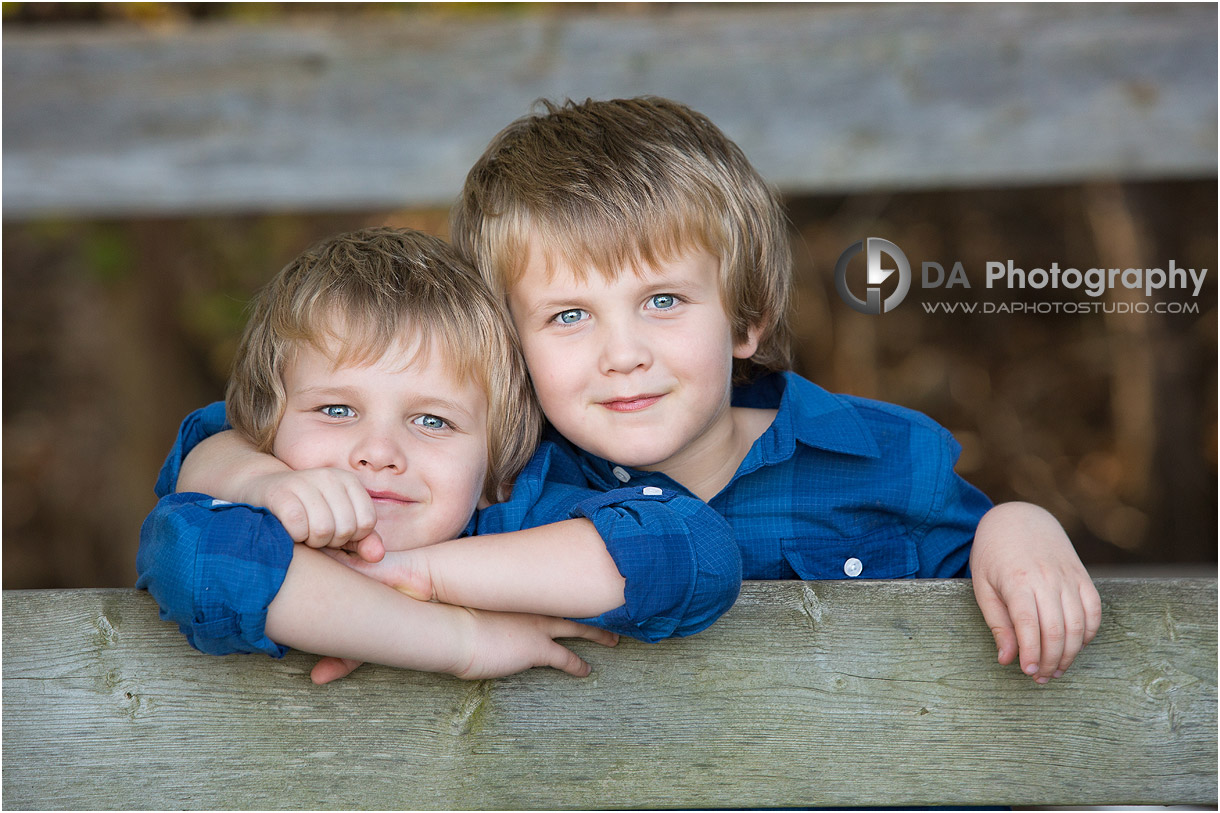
{"x":838,"y":488}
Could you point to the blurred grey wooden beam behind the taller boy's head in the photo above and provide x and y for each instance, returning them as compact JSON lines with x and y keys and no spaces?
{"x":386,"y":112}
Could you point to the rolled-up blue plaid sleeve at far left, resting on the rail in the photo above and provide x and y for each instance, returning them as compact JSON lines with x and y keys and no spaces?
{"x":214,"y":568}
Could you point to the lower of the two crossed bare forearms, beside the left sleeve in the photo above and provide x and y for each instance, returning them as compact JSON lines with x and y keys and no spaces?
{"x":326,"y":609}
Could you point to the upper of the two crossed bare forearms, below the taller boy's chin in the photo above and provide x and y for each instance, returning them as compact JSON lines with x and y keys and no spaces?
{"x":559,"y":569}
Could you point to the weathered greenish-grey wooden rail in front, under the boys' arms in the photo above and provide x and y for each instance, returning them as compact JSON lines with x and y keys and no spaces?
{"x":806,"y":694}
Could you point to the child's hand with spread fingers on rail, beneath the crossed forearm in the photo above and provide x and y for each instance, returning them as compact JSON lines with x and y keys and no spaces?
{"x":504,"y":644}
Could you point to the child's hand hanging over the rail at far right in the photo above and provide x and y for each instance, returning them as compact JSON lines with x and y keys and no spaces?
{"x":1034,"y":591}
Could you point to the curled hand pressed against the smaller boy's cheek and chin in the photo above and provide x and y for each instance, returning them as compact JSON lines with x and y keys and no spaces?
{"x":324,"y":508}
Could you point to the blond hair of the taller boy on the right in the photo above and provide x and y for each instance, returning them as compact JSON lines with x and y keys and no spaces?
{"x":614,"y":185}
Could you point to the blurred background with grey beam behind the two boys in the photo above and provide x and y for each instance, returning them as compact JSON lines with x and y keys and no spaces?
{"x":164,"y":161}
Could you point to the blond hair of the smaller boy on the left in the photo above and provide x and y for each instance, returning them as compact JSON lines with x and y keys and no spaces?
{"x":380,"y":286}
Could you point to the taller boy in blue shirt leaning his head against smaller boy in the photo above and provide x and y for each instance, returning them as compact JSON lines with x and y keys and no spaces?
{"x":646,"y":267}
